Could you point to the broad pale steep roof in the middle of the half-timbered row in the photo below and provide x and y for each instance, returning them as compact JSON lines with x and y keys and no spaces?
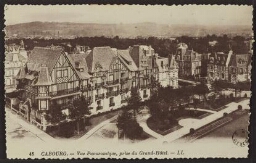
{"x":102,"y":56}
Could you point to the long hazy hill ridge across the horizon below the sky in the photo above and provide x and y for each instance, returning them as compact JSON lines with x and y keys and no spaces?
{"x":54,"y":29}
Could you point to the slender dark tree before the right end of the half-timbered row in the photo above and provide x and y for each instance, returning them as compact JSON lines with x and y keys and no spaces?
{"x":134,"y":100}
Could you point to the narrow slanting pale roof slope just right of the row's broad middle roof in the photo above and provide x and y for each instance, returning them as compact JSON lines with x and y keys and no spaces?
{"x":126,"y":59}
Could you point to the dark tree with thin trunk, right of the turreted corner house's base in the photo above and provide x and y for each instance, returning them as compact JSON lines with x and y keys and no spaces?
{"x":79,"y":109}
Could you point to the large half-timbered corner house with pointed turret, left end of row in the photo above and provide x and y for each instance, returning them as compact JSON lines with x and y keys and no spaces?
{"x":49,"y":78}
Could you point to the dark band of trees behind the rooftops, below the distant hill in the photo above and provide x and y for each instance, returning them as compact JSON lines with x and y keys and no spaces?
{"x":162,"y":46}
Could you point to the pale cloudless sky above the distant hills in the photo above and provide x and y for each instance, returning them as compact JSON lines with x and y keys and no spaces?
{"x":126,"y":14}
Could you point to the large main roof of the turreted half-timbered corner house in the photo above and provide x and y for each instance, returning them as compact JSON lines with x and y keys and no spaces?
{"x":47,"y":56}
